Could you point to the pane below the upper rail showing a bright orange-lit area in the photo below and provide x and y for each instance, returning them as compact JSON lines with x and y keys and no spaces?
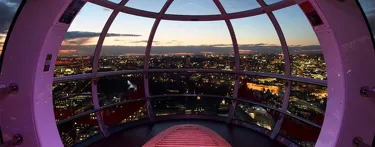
{"x":268,"y":91}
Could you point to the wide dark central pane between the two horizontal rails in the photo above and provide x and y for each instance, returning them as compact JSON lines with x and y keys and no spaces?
{"x":197,"y":83}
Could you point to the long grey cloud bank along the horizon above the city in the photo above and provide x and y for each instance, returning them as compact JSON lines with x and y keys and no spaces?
{"x":88,"y":50}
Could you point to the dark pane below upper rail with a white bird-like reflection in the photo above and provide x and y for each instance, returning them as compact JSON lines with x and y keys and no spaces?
{"x":116,"y":89}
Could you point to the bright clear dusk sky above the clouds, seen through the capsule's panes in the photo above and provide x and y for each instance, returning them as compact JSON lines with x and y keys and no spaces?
{"x":252,"y":30}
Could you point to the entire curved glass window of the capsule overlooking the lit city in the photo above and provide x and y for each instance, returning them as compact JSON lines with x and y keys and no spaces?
{"x":191,"y":70}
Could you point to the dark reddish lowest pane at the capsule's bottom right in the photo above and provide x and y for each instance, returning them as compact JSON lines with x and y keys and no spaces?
{"x":299,"y":132}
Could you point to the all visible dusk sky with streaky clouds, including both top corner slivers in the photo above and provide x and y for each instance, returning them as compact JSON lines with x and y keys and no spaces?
{"x":128,"y":30}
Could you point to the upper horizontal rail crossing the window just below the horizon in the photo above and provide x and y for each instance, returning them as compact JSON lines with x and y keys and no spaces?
{"x":148,"y":71}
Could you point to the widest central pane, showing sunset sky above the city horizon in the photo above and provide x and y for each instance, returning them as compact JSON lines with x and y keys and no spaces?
{"x":198,"y":45}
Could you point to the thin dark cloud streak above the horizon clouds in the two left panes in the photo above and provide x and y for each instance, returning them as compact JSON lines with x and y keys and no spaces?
{"x":81,"y":34}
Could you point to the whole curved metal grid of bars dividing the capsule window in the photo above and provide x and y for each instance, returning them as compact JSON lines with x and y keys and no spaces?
{"x":223,"y":16}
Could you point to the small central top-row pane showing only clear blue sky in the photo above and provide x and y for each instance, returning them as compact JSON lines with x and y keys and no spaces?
{"x":193,"y":7}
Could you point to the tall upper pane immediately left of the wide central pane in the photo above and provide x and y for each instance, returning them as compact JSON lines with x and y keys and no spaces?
{"x":125,"y":44}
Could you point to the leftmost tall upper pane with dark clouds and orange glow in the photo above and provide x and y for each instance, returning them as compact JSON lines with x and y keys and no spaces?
{"x":77,"y":49}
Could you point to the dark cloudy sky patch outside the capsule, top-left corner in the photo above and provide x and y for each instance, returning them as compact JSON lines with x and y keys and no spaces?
{"x":7,"y":11}
